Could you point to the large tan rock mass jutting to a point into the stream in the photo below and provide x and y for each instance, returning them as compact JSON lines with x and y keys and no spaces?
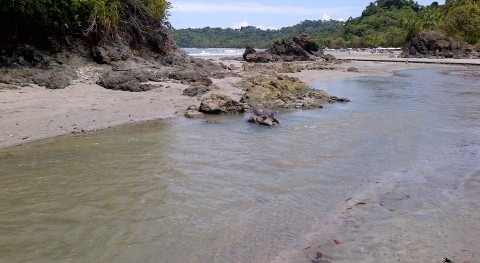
{"x":284,"y":92}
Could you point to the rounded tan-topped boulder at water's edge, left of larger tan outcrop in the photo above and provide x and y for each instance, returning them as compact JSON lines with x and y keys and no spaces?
{"x":221,"y":104}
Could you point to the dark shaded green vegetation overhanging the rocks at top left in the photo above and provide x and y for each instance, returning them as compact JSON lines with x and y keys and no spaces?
{"x":42,"y":22}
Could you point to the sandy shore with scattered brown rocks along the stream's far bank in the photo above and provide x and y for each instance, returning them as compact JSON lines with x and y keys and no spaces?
{"x":73,"y":94}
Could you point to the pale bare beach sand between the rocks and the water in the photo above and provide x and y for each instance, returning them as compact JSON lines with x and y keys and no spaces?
{"x":33,"y":113}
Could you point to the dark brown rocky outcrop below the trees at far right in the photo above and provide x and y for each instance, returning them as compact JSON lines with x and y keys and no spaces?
{"x":436,"y":45}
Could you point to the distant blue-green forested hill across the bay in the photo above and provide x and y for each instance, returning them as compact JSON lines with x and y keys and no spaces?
{"x":239,"y":38}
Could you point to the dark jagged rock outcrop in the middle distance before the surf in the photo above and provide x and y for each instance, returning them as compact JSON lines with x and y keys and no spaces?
{"x":301,"y":48}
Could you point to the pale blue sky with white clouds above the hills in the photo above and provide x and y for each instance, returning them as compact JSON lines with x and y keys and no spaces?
{"x":264,"y":14}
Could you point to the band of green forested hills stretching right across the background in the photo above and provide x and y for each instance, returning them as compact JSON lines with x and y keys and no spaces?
{"x":382,"y":23}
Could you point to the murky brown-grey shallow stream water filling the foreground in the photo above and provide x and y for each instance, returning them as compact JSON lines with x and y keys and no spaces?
{"x":227,"y":191}
